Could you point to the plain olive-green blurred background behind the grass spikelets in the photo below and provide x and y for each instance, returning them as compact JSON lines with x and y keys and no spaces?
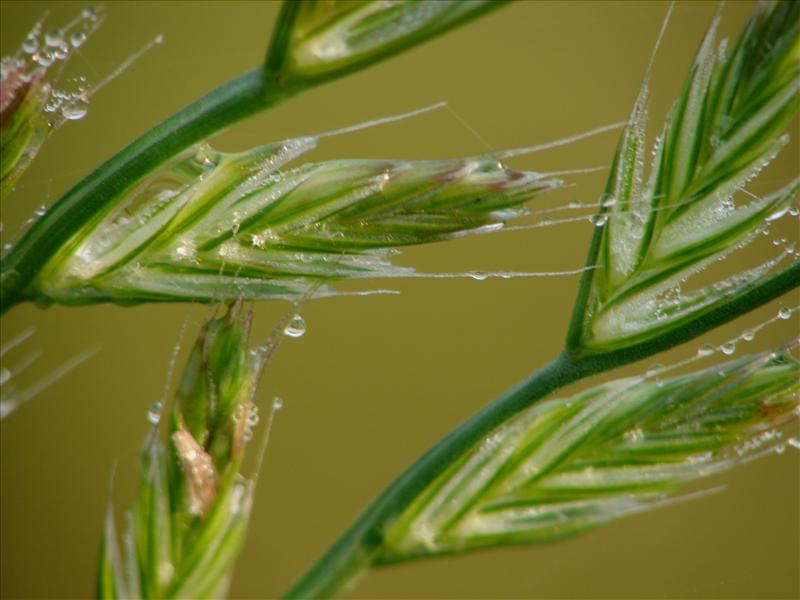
{"x":377,"y":380}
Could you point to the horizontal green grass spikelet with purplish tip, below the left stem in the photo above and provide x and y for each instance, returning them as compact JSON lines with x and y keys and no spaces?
{"x":211,"y":225}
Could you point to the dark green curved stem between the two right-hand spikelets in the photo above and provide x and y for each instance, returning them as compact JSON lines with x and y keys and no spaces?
{"x":356,"y":549}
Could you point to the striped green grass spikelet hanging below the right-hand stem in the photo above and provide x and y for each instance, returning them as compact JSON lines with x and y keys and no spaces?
{"x":567,"y":465}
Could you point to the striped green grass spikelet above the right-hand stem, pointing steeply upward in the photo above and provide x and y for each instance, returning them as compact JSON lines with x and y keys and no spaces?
{"x":693,"y":210}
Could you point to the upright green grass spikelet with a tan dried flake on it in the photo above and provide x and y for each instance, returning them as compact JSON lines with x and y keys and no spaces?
{"x":189,"y":522}
